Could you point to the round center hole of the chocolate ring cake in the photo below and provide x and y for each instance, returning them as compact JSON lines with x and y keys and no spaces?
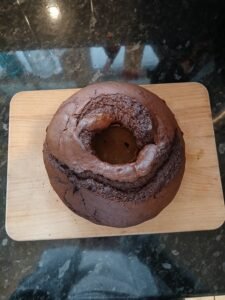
{"x":115,"y":145}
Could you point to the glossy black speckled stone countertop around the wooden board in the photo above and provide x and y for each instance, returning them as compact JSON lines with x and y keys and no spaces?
{"x":54,"y":44}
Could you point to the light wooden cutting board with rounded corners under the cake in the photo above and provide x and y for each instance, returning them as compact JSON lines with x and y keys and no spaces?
{"x":34,"y":211}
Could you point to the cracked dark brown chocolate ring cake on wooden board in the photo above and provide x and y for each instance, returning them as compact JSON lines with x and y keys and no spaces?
{"x":114,"y":154}
